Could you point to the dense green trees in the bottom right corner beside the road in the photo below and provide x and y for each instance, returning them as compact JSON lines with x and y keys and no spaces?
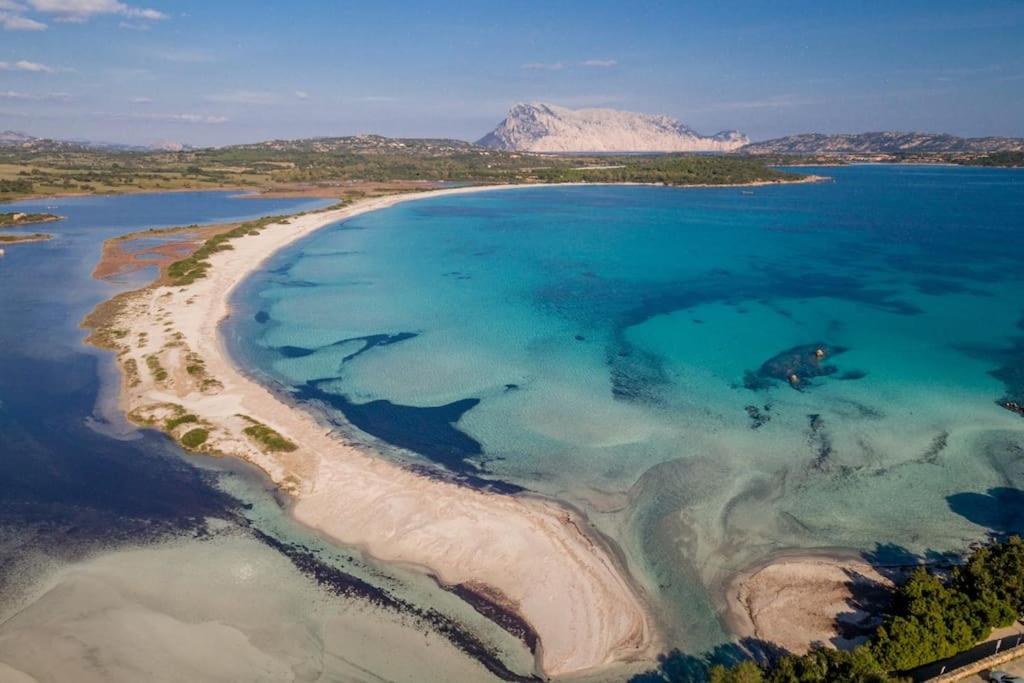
{"x":931,"y":619}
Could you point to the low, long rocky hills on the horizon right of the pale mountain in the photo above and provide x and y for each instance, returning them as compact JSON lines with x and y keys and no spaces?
{"x":882,"y":143}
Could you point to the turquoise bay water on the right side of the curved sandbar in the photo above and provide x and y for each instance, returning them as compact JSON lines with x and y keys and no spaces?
{"x":629,"y":351}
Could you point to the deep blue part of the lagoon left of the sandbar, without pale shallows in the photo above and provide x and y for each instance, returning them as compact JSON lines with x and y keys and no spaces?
{"x":70,"y":480}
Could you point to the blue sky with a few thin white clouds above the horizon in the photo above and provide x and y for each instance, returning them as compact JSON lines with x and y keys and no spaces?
{"x":222,"y":72}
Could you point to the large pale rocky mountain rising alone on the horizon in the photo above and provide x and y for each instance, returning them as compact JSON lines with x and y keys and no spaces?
{"x":541,"y":127}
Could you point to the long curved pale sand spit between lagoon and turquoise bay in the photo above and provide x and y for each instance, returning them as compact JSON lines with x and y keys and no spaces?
{"x":534,"y":557}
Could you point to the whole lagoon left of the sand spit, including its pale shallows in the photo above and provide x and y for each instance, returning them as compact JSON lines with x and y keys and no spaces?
{"x":119,"y":553}
